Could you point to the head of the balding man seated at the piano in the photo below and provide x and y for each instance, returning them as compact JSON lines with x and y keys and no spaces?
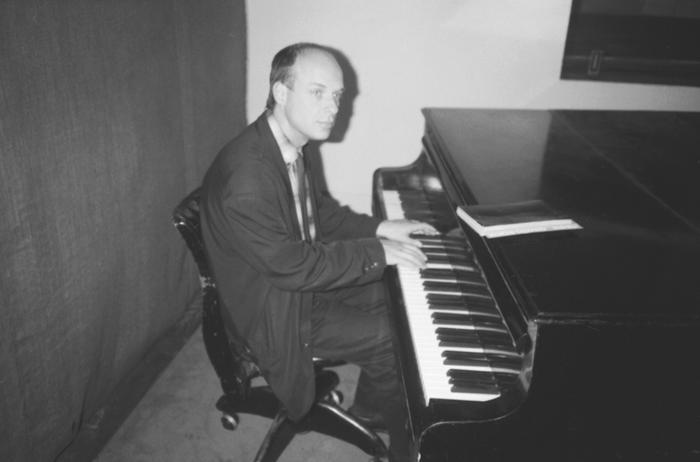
{"x":306,"y":84}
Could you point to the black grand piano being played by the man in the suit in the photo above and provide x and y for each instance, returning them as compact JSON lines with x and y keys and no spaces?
{"x":579,"y":345}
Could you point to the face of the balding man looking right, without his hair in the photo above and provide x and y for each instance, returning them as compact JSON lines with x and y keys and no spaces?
{"x":312,"y":102}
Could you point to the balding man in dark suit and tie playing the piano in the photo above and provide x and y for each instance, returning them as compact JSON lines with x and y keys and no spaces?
{"x":298,"y":274}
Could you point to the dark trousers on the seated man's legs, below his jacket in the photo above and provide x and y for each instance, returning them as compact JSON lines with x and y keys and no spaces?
{"x":352,"y":324}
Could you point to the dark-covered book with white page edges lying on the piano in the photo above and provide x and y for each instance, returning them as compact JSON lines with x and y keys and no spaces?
{"x":498,"y":220}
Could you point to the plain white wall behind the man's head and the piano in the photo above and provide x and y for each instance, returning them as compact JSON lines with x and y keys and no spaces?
{"x":409,"y":54}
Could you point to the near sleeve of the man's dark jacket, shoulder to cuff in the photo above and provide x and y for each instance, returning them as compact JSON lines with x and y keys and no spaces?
{"x":257,"y":227}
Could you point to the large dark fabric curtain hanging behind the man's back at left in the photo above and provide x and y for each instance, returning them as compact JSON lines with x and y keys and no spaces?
{"x":110,"y":112}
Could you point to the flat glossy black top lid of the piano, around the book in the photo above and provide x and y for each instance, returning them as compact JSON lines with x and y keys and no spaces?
{"x":631,"y":179}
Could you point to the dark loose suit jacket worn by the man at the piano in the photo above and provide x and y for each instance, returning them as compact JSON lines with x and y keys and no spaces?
{"x":266,"y":274}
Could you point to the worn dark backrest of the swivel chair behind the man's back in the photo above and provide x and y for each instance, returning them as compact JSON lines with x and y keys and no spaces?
{"x":231,"y":358}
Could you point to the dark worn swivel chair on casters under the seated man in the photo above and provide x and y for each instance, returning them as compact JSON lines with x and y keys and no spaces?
{"x":236,"y":367}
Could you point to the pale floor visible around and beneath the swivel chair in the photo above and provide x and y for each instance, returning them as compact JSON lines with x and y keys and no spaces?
{"x":176,"y":421}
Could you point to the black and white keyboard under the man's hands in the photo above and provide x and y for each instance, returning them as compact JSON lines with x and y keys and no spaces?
{"x":463,"y":348}
